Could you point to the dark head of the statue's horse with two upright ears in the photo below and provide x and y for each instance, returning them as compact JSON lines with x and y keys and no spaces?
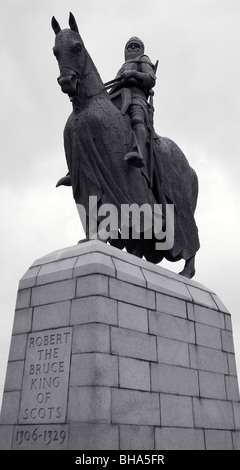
{"x":70,"y":53}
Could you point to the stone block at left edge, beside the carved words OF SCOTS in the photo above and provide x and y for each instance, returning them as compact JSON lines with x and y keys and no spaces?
{"x":10,"y":407}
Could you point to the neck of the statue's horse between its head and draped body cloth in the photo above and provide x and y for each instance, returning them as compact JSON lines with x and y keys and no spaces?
{"x":91,"y":84}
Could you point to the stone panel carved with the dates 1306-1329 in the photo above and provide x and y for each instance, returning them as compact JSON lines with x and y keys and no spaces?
{"x":41,"y":437}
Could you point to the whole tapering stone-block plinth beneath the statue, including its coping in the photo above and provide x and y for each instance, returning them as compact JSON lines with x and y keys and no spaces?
{"x":111,"y":352}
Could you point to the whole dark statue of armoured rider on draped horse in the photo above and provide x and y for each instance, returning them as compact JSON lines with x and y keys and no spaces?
{"x":114,"y":154}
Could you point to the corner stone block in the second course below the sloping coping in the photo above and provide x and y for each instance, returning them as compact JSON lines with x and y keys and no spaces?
{"x":94,"y":309}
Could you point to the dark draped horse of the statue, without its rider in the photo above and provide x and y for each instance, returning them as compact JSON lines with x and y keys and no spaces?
{"x":98,"y":135}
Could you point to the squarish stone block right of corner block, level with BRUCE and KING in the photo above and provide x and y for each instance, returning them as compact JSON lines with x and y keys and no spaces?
{"x":134,"y":373}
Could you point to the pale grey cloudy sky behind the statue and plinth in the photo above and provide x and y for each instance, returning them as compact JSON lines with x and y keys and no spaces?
{"x":197,"y":104}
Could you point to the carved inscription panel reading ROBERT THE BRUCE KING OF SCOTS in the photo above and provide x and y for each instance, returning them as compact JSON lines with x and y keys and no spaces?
{"x":46,"y":377}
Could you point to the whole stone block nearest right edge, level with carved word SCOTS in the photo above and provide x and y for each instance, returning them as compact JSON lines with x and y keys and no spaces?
{"x":213,"y":414}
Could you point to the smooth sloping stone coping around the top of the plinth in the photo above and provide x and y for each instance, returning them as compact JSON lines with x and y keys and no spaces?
{"x":97,"y":257}
